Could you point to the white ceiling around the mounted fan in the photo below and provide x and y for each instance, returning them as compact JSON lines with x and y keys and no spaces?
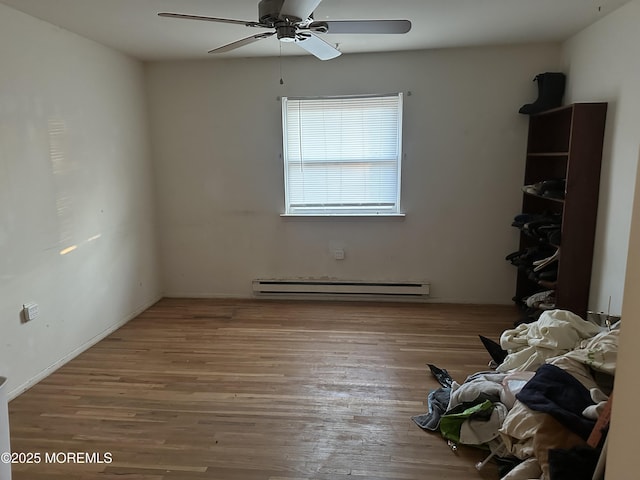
{"x":133,"y":27}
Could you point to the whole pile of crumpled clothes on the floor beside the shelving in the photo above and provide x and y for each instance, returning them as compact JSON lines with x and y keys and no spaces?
{"x":536,"y":410}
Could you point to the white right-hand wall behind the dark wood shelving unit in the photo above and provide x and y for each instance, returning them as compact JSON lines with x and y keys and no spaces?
{"x":601,"y":66}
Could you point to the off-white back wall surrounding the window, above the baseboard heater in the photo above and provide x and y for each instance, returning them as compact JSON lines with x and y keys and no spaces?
{"x":216,"y":130}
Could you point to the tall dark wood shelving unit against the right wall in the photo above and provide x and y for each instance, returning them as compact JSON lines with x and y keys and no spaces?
{"x":566,"y":142}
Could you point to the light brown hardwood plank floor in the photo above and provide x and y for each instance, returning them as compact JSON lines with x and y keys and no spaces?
{"x":222,"y":389}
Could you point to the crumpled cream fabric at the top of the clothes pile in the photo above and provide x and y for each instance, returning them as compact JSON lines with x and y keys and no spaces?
{"x":555,"y":333}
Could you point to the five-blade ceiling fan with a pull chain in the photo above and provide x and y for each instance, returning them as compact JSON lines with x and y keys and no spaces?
{"x":292,"y":21}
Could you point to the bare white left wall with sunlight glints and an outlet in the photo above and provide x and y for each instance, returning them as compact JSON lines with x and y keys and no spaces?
{"x":74,"y":171}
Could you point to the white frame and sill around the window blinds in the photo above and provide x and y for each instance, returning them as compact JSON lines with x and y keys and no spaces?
{"x":394,"y":210}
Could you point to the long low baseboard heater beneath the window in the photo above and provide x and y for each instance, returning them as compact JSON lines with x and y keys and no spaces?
{"x":339,"y":288}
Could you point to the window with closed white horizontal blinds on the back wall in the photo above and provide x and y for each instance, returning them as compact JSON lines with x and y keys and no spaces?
{"x":342,"y":155}
